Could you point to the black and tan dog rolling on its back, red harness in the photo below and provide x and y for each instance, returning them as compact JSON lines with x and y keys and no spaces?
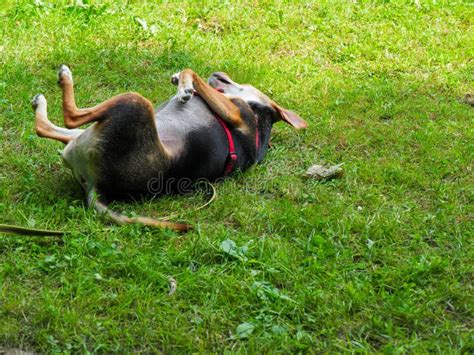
{"x":226,"y":126}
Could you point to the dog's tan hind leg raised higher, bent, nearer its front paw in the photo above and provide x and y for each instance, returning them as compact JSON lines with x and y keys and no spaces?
{"x":75,"y":117}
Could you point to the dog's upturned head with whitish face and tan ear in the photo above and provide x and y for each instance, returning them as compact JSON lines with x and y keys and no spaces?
{"x":257,"y":100}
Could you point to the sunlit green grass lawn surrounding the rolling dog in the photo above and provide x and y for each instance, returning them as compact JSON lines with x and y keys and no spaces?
{"x":380,"y":260}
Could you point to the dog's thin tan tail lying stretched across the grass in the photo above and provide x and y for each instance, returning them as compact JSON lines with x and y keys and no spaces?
{"x":94,"y":201}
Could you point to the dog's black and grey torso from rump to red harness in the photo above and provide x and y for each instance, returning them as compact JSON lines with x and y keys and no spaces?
{"x":105,"y":158}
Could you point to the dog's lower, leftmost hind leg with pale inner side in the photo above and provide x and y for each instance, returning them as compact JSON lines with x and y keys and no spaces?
{"x":44,"y":127}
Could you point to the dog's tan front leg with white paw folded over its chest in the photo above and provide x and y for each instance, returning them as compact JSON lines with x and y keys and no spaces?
{"x":188,"y":81}
